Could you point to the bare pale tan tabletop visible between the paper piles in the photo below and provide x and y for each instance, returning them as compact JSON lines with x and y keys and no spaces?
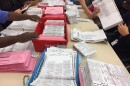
{"x":104,"y":53}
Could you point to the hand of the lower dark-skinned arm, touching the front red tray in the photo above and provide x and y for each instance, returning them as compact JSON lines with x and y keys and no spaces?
{"x":27,"y":37}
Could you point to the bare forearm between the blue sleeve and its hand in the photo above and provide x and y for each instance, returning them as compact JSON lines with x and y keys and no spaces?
{"x":12,"y":16}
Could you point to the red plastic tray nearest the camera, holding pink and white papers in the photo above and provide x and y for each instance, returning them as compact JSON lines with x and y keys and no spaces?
{"x":40,"y":45}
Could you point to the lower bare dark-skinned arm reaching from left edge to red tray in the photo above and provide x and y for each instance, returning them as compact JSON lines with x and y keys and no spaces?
{"x":9,"y":40}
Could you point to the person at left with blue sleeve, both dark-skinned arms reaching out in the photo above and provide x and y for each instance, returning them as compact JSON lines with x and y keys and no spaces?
{"x":11,"y":16}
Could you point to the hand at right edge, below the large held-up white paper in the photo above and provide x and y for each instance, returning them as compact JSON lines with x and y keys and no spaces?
{"x":123,"y":29}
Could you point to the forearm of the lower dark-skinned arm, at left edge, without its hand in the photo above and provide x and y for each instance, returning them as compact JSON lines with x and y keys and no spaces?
{"x":9,"y":40}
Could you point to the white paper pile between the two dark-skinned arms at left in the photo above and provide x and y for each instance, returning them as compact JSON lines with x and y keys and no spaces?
{"x":25,"y":25}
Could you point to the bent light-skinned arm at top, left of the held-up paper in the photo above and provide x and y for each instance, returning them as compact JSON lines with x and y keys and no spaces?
{"x":88,"y":12}
